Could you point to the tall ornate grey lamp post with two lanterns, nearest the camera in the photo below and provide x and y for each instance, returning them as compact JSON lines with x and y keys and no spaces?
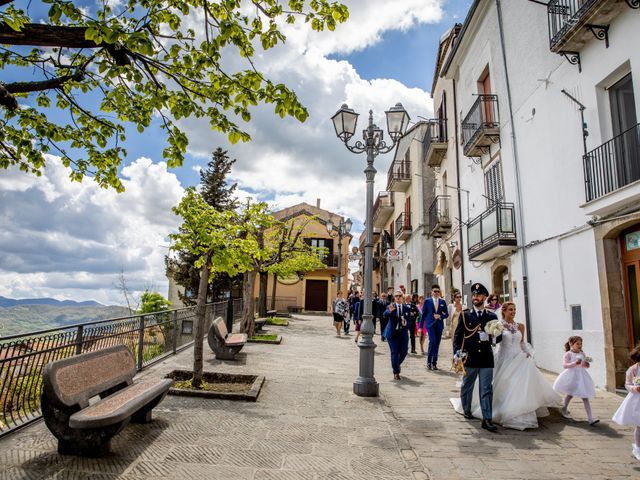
{"x":344,"y":122}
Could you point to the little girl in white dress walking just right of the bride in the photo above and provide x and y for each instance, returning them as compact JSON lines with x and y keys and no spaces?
{"x":575,"y":381}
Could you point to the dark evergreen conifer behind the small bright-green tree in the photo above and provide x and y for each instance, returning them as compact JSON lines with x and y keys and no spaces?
{"x":219,"y":194}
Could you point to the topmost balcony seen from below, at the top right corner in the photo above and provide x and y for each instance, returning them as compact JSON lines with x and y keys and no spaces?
{"x":573,"y":23}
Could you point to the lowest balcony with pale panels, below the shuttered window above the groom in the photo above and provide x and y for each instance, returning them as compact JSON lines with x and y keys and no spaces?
{"x":493,"y":233}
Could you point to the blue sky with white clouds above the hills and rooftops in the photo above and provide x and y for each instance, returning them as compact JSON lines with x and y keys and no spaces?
{"x":71,"y":241}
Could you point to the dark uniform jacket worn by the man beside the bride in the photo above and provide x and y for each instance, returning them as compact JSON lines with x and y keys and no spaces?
{"x":479,"y":354}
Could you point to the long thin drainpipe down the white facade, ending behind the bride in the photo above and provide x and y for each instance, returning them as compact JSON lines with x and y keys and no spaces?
{"x":522,"y":240}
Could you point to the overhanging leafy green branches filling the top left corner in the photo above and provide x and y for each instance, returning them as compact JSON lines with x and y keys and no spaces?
{"x":113,"y":64}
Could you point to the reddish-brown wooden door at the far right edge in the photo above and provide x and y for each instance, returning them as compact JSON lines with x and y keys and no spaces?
{"x":630,"y":248}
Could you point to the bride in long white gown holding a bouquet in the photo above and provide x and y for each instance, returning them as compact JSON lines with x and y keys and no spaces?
{"x":520,"y":392}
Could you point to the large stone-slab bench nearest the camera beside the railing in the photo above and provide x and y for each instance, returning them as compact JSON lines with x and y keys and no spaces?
{"x":89,"y":398}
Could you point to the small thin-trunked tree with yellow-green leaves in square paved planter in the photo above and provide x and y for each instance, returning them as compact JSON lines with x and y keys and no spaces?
{"x":223,"y":241}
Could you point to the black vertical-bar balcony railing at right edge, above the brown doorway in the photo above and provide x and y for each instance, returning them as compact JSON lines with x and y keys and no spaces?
{"x":613,"y":164}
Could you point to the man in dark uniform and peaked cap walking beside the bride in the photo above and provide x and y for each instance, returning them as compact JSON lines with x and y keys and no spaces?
{"x":471,"y":339}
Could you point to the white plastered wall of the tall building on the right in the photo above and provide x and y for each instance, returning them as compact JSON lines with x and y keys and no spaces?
{"x":562,"y":267}
